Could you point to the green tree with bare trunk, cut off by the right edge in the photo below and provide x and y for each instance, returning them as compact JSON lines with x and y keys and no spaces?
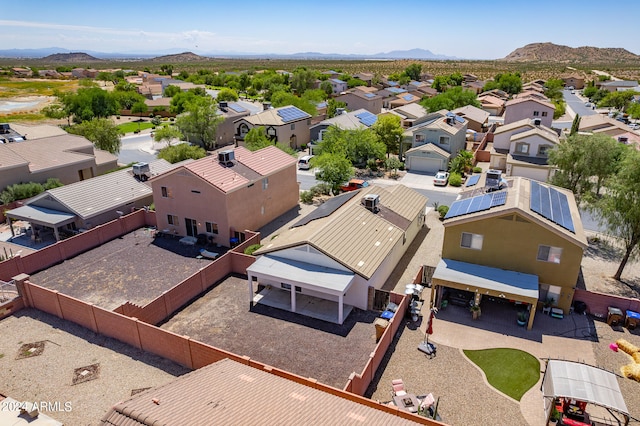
{"x":619,"y":207}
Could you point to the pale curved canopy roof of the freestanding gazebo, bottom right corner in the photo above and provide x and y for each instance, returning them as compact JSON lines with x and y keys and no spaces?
{"x":584,"y":383}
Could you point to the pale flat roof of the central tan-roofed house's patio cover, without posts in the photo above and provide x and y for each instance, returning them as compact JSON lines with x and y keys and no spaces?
{"x":320,"y":278}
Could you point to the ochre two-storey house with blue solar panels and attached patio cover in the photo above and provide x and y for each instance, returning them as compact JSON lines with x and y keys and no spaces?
{"x":522,"y":244}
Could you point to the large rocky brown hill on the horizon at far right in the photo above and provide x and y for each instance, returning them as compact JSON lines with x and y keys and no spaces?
{"x":549,"y":52}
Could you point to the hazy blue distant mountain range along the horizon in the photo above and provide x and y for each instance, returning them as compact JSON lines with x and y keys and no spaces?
{"x":51,"y":53}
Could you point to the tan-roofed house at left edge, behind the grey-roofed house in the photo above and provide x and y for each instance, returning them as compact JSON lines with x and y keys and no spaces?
{"x":44,"y":152}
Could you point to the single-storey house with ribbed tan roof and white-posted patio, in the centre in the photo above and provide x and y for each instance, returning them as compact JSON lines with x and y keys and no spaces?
{"x":338,"y":252}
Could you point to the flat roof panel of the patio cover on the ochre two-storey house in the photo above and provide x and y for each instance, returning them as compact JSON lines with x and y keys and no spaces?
{"x":501,"y":282}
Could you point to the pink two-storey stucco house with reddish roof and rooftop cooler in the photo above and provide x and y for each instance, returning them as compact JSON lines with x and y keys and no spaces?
{"x":224,"y":195}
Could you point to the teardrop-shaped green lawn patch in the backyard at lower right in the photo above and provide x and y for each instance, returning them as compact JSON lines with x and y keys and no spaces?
{"x":511,"y":371}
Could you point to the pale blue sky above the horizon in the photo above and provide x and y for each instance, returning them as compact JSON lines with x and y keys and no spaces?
{"x":464,"y":28}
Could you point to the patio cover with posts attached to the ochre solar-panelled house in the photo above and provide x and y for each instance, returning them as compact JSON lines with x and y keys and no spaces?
{"x":485,"y":281}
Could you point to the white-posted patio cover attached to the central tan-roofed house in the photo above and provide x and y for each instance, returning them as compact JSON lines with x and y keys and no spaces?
{"x":300,"y":277}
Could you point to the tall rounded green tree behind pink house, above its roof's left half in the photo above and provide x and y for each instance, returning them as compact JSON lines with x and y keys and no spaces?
{"x":200,"y":121}
